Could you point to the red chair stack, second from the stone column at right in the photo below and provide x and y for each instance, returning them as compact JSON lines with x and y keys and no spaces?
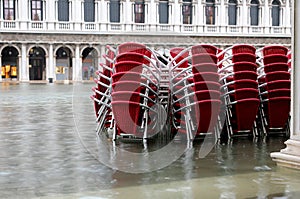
{"x":239,"y":90}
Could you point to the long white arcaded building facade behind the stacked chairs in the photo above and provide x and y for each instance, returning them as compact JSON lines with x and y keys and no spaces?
{"x":65,"y":39}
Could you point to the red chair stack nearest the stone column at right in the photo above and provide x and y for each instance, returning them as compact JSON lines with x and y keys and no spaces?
{"x":275,"y":89}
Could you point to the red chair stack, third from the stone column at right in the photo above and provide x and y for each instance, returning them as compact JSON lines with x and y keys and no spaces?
{"x":195,"y":91}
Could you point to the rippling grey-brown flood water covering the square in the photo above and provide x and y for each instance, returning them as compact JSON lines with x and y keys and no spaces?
{"x":49,"y":149}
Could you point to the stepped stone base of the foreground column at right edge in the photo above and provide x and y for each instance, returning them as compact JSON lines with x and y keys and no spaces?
{"x":290,"y":156}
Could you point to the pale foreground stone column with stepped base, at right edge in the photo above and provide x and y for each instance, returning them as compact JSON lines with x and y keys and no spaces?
{"x":290,"y":156}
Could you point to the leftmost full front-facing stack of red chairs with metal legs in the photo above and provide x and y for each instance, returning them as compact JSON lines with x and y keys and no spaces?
{"x":134,"y":91}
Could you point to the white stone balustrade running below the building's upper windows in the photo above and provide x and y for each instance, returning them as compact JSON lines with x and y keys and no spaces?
{"x":197,"y":30}
